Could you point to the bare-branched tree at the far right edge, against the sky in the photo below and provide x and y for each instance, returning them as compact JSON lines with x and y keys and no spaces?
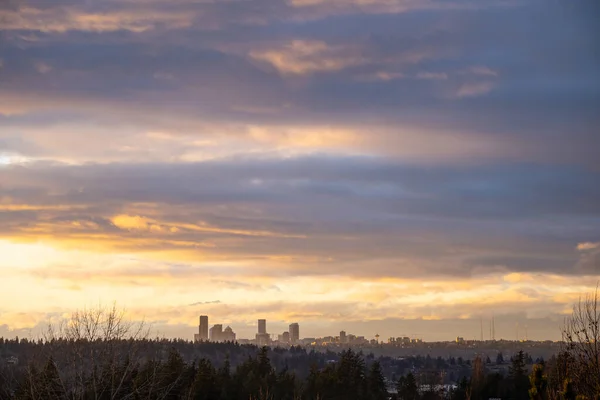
{"x":581,"y":336}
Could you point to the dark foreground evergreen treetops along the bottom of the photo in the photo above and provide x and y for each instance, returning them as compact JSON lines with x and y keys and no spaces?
{"x":105,"y":375}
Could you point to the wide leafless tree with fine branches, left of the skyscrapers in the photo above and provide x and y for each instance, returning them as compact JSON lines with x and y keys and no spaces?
{"x":96,"y":351}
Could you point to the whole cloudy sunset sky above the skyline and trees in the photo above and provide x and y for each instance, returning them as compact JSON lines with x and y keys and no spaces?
{"x":401,"y":167}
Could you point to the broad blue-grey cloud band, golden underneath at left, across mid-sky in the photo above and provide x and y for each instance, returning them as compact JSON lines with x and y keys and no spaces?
{"x":309,"y":215}
